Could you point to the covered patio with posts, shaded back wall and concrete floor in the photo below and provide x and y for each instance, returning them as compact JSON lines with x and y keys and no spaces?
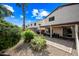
{"x":67,"y":39}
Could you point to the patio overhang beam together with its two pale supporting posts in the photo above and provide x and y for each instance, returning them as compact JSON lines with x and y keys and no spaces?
{"x":75,"y":30}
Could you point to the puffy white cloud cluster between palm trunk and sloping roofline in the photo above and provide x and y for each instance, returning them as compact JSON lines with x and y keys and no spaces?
{"x":39,"y":14}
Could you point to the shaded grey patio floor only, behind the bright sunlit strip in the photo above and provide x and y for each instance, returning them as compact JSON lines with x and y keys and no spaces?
{"x":64,"y":42}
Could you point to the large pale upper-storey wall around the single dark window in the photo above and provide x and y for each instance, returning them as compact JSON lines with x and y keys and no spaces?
{"x":65,"y":15}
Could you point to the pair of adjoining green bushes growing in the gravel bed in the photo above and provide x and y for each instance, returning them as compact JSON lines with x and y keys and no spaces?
{"x":37,"y":43}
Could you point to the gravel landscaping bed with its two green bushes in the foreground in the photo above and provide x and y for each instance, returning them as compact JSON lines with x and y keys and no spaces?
{"x":34,"y":45}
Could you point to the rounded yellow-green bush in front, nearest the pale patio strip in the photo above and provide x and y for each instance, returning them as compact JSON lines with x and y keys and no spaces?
{"x":38,"y":43}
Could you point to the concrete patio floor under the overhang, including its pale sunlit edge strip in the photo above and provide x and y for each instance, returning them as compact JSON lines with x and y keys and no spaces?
{"x":63,"y":44}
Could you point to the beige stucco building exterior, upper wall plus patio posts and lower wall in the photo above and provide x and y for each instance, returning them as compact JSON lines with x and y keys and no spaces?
{"x":64,"y":16}
